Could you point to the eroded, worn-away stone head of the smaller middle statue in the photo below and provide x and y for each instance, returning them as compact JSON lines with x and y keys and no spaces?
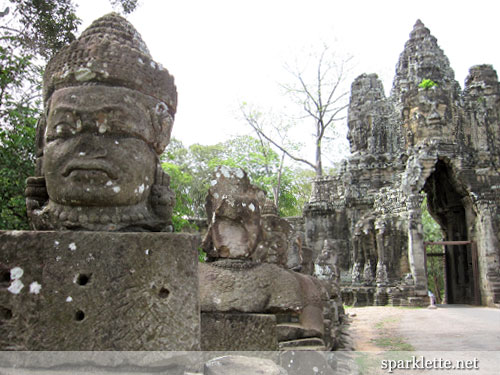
{"x":233,"y":208}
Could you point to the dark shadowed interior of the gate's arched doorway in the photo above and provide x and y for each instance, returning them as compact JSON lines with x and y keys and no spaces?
{"x":445,"y":204}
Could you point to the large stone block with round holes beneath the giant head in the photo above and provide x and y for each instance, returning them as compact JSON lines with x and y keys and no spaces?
{"x":98,"y":291}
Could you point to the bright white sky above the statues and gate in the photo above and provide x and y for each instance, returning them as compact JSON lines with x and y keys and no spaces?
{"x":224,"y":52}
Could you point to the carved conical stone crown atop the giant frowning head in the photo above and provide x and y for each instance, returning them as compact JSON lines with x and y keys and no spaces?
{"x":110,"y":52}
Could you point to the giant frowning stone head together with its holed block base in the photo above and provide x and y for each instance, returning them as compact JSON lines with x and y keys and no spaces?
{"x":78,"y":284}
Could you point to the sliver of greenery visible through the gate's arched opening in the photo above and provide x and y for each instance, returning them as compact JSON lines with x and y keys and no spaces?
{"x":435,"y":269}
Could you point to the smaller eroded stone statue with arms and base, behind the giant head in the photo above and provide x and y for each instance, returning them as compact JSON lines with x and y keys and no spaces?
{"x":249,"y":299}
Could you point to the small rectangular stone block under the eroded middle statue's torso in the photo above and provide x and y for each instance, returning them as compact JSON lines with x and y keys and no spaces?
{"x":236,"y":331}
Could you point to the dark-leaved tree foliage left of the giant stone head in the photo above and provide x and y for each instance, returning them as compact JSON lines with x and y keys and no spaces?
{"x":31,"y":31}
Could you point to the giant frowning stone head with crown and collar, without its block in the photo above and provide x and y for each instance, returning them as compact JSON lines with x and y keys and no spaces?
{"x":108,"y":115}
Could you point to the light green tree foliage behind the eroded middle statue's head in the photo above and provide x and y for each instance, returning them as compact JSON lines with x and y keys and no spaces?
{"x":191,"y":170}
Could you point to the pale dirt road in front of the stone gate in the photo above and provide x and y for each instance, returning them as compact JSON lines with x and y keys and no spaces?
{"x":449,"y":327}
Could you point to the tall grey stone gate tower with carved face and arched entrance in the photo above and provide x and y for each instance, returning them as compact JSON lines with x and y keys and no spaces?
{"x":428,"y":137}
